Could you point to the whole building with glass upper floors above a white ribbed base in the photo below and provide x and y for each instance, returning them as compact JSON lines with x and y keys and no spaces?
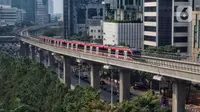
{"x":123,"y":24}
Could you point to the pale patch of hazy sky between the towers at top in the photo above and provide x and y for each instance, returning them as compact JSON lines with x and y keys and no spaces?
{"x":58,"y":6}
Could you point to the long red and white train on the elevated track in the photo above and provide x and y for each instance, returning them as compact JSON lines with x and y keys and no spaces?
{"x":115,"y":52}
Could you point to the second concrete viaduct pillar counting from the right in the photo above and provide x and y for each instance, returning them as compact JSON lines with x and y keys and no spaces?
{"x":124,"y":87}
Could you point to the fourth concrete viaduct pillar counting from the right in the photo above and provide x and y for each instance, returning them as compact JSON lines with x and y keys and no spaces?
{"x":67,"y":71}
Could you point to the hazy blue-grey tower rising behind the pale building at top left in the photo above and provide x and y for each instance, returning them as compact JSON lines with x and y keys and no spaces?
{"x":29,"y":6}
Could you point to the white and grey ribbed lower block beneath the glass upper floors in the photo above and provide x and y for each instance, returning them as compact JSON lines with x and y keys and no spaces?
{"x":129,"y":34}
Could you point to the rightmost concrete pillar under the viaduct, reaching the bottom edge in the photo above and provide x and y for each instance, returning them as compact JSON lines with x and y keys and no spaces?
{"x":178,"y":96}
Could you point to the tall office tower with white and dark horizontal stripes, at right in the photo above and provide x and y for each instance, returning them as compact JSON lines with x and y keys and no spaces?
{"x":162,"y":26}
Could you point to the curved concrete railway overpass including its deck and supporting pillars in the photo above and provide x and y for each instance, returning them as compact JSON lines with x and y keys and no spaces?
{"x":180,"y":72}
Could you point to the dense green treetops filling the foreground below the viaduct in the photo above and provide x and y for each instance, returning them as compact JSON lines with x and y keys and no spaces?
{"x":26,"y":86}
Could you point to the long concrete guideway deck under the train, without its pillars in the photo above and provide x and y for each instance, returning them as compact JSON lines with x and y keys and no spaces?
{"x":166,"y":67}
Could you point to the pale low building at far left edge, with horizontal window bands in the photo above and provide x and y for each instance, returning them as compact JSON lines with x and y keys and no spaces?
{"x":11,"y":16}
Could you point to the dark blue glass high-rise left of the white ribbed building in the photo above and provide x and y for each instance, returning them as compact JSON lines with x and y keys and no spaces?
{"x":79,"y":14}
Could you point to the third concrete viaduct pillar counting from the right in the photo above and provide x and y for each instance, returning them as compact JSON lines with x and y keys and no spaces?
{"x":94,"y":75}
